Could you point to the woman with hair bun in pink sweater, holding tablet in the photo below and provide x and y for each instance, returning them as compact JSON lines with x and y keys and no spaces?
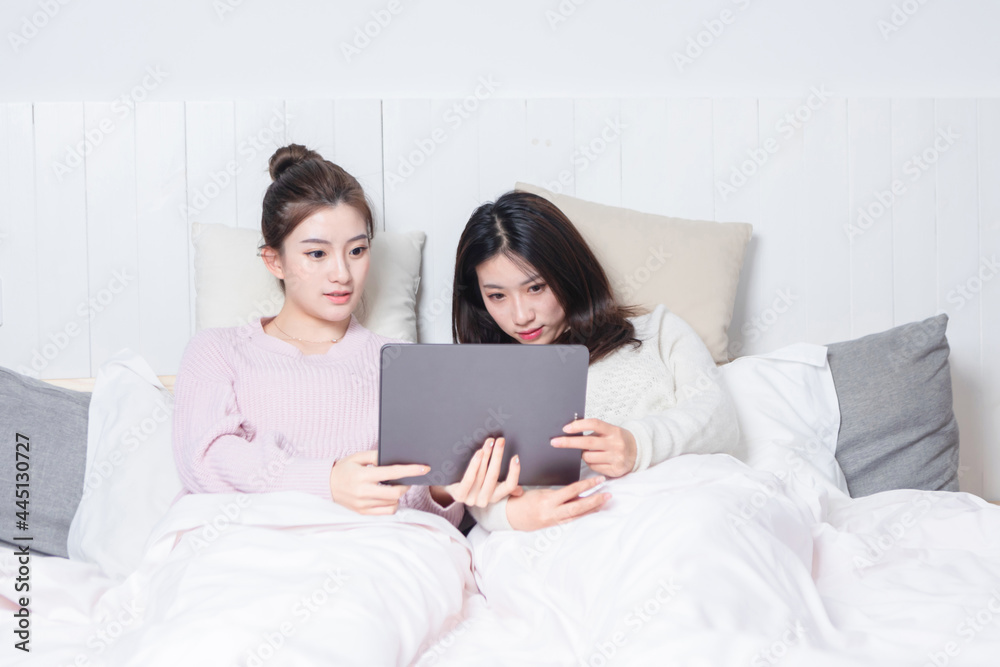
{"x":290,"y":402}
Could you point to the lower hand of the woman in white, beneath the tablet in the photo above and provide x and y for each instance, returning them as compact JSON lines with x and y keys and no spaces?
{"x":541,"y":508}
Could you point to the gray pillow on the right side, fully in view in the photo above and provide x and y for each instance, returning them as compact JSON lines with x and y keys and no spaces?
{"x":897,"y":427}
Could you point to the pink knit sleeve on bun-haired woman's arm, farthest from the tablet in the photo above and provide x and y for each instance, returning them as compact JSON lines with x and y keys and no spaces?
{"x":214,"y":449}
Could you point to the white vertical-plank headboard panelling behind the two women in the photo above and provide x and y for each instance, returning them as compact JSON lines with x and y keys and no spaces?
{"x":867,"y":213}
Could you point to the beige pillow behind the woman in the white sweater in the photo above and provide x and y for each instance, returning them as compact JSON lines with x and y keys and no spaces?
{"x":691,"y":267}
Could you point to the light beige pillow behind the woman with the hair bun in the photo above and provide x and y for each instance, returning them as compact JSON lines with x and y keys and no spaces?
{"x":233,"y":287}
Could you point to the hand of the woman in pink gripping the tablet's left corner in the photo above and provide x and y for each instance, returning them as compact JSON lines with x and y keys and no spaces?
{"x":355,"y":483}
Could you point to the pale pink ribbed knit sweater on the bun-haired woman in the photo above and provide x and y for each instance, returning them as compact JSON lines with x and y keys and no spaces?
{"x":253,"y":413}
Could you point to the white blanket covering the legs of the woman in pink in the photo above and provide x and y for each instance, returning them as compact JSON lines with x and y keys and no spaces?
{"x":271,"y":579}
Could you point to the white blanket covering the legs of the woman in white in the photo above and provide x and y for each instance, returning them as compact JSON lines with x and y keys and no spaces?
{"x":704,"y":561}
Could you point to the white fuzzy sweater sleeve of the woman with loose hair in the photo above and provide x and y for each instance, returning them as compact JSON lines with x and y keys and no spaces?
{"x":703,"y":421}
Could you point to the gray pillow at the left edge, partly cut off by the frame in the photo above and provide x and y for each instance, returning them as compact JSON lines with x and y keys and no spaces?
{"x":51,"y":422}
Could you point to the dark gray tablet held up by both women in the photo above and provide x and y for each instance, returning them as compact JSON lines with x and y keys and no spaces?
{"x":439,"y":402}
